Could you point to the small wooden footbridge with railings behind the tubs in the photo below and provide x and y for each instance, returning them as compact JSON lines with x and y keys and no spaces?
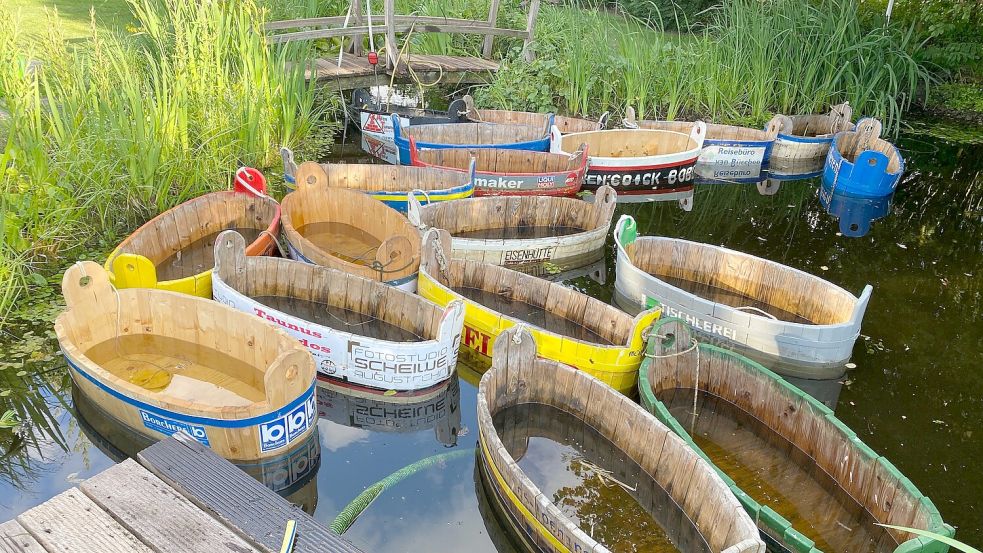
{"x":352,"y":68}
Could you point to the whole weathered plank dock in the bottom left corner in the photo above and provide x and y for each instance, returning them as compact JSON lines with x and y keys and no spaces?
{"x":181,"y":498}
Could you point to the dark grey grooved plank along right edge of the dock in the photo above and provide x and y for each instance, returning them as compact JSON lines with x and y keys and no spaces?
{"x":236,"y":499}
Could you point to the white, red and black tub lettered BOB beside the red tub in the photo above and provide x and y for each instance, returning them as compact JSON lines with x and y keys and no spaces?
{"x":639,"y":164}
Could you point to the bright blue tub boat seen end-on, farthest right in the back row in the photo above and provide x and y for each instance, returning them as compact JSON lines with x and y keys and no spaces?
{"x":860,"y":163}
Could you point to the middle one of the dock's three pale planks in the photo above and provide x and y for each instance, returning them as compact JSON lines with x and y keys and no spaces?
{"x":70,"y":522}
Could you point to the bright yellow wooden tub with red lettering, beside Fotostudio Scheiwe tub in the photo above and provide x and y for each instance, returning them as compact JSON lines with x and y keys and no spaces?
{"x":570,"y":327}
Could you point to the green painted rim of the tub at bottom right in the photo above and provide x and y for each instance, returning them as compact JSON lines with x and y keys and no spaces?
{"x":763,"y":515}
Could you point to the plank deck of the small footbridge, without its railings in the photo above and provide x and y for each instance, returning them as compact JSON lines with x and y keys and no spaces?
{"x":356,"y":72}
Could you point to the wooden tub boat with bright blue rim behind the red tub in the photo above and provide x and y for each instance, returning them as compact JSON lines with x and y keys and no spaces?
{"x":529,"y":137}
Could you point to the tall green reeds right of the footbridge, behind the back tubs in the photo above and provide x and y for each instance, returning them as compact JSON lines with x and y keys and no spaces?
{"x":753,"y":58}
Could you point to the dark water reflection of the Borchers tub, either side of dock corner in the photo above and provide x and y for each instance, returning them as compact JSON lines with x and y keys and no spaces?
{"x":292,"y":475}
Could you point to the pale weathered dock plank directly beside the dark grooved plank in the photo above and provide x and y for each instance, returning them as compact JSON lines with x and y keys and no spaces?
{"x":162,"y":518}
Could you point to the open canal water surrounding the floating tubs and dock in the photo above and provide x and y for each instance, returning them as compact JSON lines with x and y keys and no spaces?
{"x":913,"y":392}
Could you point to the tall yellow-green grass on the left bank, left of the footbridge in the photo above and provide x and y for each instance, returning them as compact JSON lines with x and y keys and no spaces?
{"x":115,"y":128}
